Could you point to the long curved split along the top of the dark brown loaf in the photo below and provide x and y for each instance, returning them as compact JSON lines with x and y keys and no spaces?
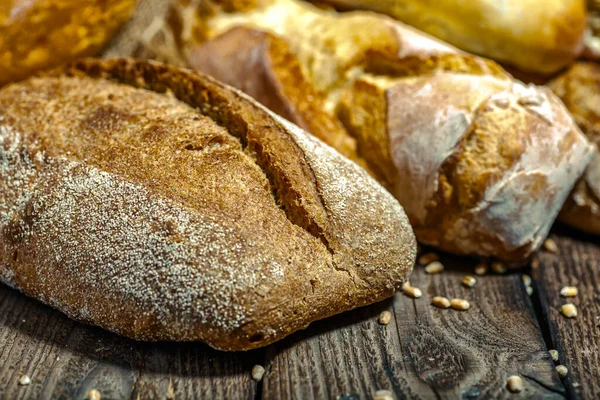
{"x":309,"y":216}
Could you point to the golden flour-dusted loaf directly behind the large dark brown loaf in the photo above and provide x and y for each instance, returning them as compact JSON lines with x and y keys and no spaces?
{"x":481,"y":163}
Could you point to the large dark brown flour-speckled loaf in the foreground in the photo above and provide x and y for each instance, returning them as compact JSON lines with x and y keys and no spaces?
{"x":163,"y":205}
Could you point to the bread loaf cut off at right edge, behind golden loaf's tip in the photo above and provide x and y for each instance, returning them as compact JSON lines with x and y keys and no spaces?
{"x":579,"y":89}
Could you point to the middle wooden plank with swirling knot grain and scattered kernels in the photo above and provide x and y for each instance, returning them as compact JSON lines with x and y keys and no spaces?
{"x":424,"y":352}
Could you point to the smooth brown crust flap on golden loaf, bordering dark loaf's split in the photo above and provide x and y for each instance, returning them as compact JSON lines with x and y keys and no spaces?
{"x":278,"y":81}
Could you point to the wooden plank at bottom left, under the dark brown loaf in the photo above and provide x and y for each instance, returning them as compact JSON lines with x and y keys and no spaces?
{"x":66,"y":359}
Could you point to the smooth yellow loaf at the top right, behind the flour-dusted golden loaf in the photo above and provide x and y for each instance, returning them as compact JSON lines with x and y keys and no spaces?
{"x":533,"y":35}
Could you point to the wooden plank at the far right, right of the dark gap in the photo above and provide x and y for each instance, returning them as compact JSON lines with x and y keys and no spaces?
{"x":577,"y":340}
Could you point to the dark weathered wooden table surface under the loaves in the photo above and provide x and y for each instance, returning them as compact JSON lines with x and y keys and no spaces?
{"x":424,"y":352}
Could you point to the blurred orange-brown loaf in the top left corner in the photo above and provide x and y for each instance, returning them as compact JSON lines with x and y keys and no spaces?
{"x":38,"y":34}
